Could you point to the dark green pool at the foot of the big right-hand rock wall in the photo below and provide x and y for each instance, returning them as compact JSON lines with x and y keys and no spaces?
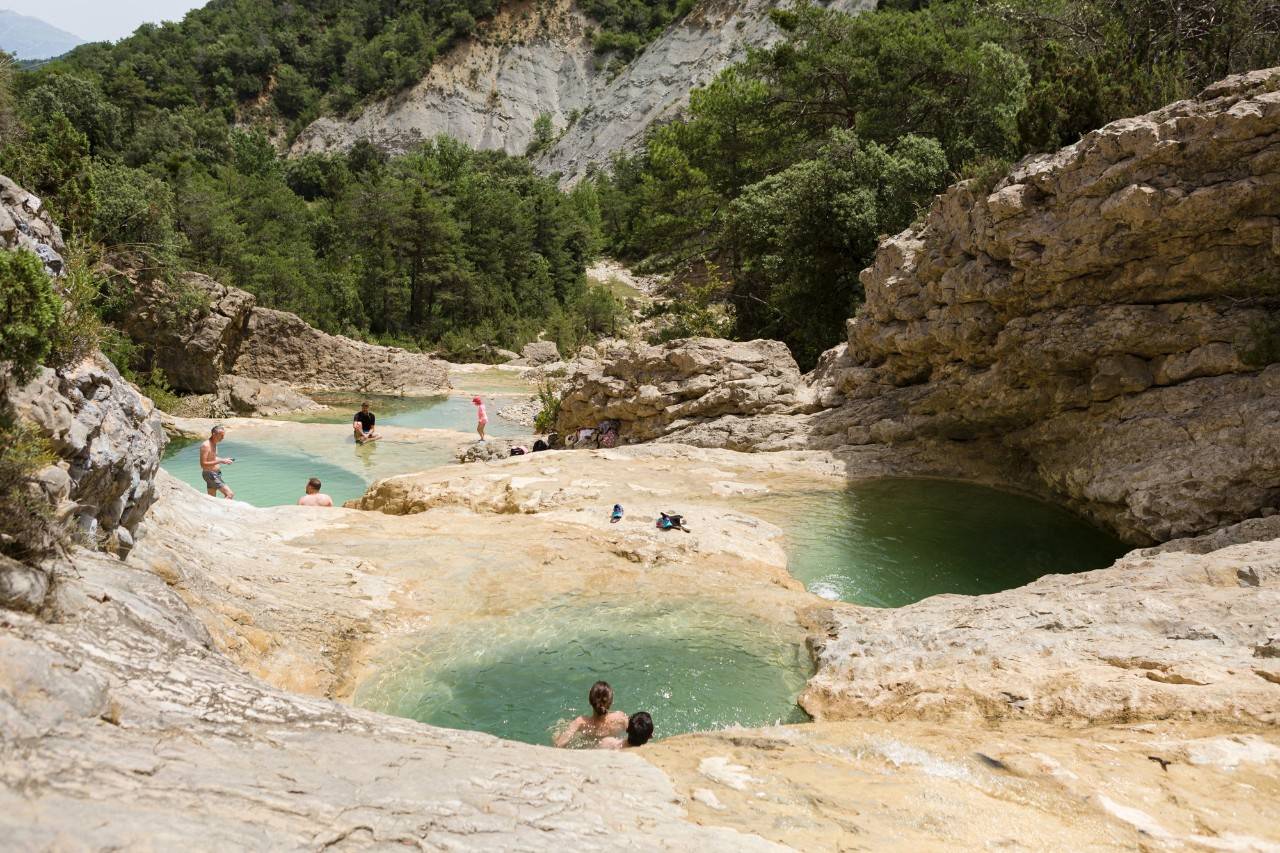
{"x":889,"y":544}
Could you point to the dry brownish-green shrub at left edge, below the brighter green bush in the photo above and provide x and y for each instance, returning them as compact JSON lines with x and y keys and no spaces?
{"x":28,"y":526}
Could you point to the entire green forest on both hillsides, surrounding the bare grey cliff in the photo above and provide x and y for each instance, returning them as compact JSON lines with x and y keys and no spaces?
{"x":769,"y":195}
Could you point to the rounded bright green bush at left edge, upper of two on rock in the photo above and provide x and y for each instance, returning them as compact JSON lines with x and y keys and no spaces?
{"x":29,"y":314}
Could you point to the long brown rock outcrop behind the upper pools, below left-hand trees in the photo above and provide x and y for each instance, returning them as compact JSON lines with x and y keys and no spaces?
{"x":236,"y":336}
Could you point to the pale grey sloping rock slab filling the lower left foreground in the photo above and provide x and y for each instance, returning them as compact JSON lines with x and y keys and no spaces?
{"x":125,"y":728}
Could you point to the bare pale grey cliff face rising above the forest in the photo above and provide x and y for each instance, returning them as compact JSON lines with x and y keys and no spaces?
{"x":538,"y":60}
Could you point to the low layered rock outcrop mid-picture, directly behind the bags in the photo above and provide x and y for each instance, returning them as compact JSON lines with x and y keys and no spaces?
{"x":682,"y":386}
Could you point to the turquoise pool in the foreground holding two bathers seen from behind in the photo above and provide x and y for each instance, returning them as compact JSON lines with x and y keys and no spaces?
{"x":693,"y":667}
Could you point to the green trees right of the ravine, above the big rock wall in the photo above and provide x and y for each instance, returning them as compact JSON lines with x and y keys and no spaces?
{"x":775,"y":188}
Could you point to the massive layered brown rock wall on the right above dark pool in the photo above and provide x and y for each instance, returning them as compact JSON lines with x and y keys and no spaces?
{"x":1108,"y":313}
